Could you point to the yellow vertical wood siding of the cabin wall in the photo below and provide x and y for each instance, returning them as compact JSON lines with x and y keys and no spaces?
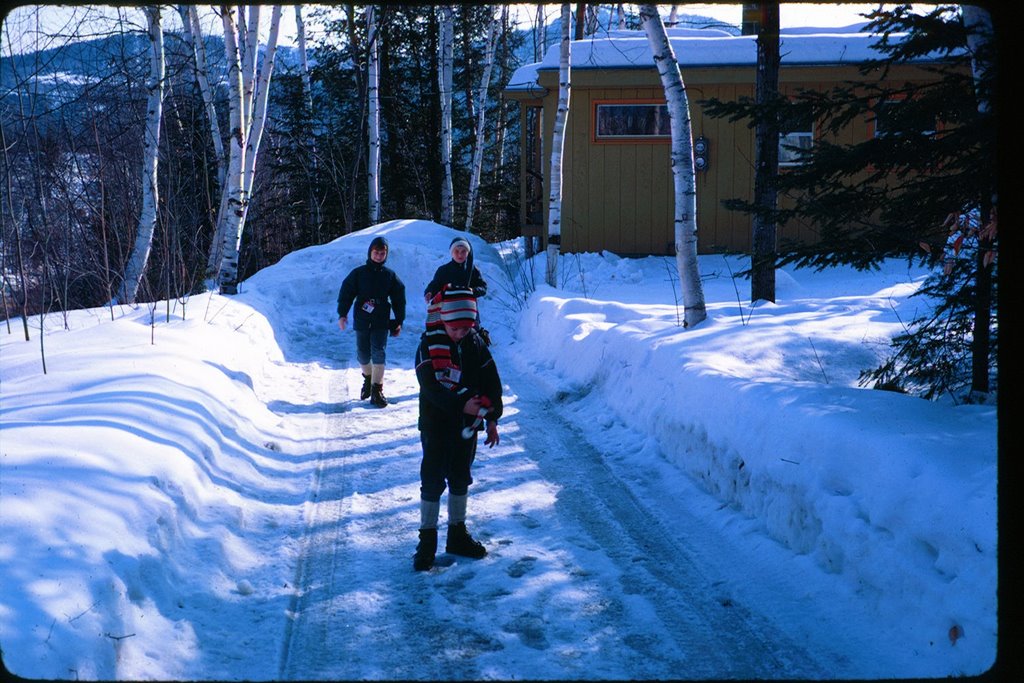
{"x":620,"y":196}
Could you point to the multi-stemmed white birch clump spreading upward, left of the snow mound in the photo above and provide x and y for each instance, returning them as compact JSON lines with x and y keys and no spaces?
{"x":248,"y":102}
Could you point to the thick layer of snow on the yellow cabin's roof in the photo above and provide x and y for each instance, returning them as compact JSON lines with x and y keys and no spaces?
{"x":709,"y":48}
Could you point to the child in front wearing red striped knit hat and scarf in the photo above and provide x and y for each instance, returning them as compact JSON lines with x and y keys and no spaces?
{"x":460,"y":393}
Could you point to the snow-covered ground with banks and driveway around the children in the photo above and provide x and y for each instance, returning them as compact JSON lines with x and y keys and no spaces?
{"x":202,"y":496}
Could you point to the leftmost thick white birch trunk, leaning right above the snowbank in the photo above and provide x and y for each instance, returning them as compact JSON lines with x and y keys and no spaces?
{"x":151,"y":155}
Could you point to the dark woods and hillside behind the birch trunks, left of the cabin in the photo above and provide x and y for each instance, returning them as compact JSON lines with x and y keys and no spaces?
{"x":72,"y":123}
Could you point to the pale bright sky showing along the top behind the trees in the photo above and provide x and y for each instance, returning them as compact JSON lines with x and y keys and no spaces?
{"x":65,"y":19}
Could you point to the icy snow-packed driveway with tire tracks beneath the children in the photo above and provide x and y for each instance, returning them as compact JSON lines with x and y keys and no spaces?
{"x":589,"y":575}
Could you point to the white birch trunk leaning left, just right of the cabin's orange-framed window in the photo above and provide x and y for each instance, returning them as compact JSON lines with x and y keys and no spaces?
{"x":684,"y":175}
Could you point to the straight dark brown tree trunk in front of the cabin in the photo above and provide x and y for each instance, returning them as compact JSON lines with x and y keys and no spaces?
{"x":765,"y":159}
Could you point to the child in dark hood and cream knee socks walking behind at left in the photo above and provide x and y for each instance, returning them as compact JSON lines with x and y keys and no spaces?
{"x":377,"y":291}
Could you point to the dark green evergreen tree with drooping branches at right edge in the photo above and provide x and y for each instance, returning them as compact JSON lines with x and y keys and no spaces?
{"x":929,"y":180}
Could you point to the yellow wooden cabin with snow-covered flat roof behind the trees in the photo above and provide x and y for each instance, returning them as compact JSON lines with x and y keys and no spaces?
{"x":617,"y":180}
